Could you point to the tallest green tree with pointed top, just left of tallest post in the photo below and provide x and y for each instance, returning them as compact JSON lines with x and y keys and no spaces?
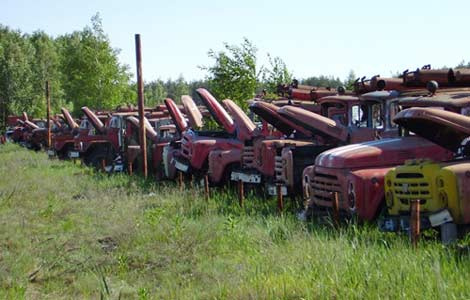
{"x":92,"y":74}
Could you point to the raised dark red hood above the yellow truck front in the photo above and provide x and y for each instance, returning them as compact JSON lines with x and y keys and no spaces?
{"x":447,"y":129}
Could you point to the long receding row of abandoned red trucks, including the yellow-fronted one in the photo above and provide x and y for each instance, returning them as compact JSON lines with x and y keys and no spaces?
{"x":370,"y":152}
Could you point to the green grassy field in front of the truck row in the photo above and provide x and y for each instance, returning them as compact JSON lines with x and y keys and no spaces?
{"x":67,"y":232}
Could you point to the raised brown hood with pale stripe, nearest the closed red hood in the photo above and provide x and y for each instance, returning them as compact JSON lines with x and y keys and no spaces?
{"x":315,"y":123}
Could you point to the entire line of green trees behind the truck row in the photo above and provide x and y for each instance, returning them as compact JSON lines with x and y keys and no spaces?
{"x":83,"y":70}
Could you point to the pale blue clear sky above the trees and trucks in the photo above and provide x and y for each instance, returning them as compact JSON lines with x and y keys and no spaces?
{"x":312,"y":37}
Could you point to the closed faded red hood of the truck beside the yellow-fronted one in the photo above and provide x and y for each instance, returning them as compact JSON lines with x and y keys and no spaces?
{"x":385,"y":152}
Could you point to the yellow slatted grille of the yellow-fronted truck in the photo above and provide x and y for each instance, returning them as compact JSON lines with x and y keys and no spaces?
{"x":409,"y":186}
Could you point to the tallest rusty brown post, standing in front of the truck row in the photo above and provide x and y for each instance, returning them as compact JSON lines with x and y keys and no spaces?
{"x":140,"y":93}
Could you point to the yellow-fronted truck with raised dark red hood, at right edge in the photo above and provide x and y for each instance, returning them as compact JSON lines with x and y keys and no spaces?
{"x":442,"y":188}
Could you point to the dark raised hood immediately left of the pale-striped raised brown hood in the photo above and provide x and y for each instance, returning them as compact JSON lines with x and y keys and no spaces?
{"x":268,"y":112}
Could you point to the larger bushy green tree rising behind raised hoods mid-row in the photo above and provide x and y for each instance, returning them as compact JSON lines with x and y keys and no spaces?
{"x":234,"y":74}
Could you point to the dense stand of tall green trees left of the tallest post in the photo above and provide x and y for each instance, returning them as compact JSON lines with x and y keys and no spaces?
{"x":82,"y":67}
